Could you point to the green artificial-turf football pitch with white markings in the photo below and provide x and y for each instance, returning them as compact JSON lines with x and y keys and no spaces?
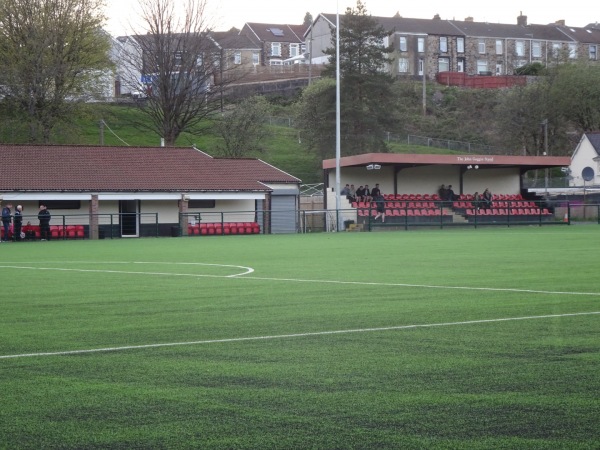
{"x":432,"y":339}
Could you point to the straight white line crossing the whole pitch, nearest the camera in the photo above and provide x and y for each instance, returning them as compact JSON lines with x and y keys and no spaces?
{"x":295,"y":335}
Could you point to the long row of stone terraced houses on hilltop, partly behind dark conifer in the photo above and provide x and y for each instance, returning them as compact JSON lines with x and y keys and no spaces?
{"x":432,"y":46}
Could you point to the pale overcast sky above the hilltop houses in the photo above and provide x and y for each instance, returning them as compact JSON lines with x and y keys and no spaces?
{"x":234,"y":13}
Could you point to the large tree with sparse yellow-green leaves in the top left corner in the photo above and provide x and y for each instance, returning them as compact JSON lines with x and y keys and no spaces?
{"x":53,"y":54}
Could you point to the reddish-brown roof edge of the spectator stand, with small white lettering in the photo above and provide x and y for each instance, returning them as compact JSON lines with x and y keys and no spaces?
{"x":483,"y":161}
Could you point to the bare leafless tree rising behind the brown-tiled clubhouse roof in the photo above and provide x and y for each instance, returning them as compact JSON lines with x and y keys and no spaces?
{"x":176,"y":66}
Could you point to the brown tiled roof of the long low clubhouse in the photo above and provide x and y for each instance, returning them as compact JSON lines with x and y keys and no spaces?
{"x":45,"y":168}
